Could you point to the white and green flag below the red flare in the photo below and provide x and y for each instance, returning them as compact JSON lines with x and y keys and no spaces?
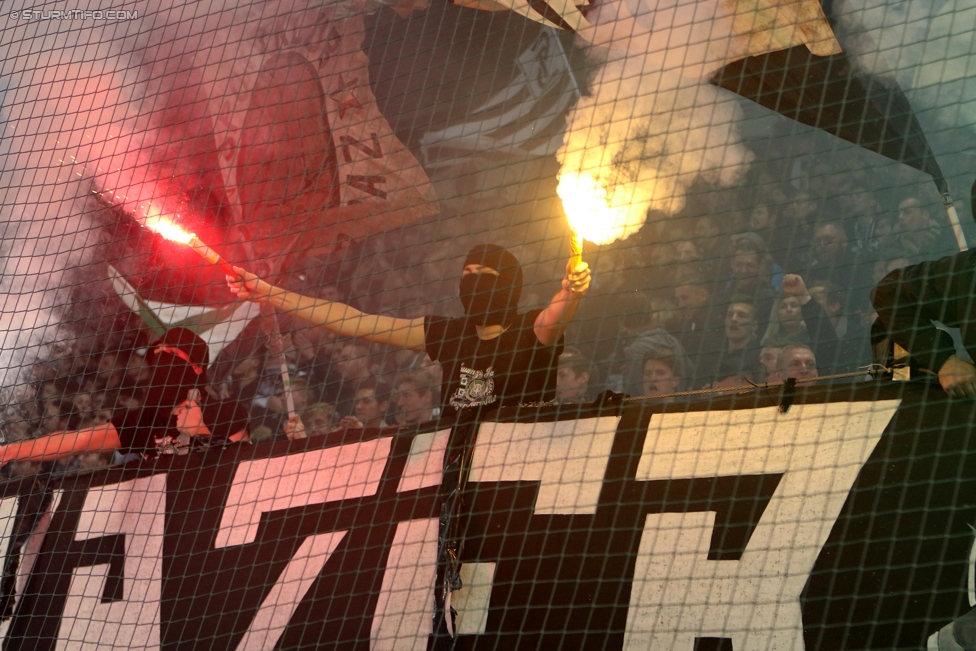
{"x":217,"y":325}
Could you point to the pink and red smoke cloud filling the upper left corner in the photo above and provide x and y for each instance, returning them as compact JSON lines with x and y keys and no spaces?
{"x":100,"y":108}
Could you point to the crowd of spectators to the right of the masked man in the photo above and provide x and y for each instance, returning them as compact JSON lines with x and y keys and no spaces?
{"x":744,"y":301}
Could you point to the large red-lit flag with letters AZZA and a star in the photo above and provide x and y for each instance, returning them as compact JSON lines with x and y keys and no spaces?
{"x":307,"y":158}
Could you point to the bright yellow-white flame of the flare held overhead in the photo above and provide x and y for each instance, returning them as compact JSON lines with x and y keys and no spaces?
{"x":589,"y":209}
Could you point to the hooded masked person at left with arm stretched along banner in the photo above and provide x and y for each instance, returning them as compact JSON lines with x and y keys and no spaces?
{"x":176,"y":413}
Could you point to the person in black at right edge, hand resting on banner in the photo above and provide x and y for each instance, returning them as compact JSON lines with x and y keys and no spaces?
{"x":909,"y":300}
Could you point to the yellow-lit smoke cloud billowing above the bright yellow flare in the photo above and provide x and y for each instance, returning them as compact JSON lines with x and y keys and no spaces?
{"x":645,"y":136}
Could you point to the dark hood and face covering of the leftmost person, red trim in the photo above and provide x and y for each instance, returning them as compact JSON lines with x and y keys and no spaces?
{"x":172,"y":376}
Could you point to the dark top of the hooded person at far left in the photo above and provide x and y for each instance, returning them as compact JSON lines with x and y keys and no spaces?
{"x":151,"y":431}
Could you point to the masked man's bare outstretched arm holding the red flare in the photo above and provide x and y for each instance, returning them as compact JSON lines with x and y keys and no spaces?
{"x":336,"y":317}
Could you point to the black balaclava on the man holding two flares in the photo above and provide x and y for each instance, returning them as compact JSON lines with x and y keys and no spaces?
{"x":490,"y":299}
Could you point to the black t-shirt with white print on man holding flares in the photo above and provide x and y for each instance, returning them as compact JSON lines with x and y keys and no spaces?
{"x":510,"y":369}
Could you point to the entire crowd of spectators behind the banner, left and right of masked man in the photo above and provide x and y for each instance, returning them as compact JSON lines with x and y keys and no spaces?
{"x":718,"y":303}
